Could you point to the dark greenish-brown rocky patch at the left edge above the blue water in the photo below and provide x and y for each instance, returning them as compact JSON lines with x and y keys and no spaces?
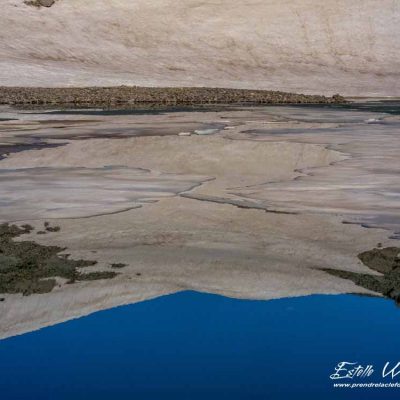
{"x":27,"y":267}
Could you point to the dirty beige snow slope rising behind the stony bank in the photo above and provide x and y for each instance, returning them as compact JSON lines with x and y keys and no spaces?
{"x":329,"y":46}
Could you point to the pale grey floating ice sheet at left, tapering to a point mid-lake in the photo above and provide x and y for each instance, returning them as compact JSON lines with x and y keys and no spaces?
{"x":36,"y":193}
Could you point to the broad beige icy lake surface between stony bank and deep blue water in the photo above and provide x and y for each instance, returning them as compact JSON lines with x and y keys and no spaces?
{"x":254,"y":211}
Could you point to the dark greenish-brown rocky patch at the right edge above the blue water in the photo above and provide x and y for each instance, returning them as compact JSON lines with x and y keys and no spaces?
{"x":385,"y":261}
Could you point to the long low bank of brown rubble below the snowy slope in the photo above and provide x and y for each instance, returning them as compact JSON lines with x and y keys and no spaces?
{"x":131,"y":95}
